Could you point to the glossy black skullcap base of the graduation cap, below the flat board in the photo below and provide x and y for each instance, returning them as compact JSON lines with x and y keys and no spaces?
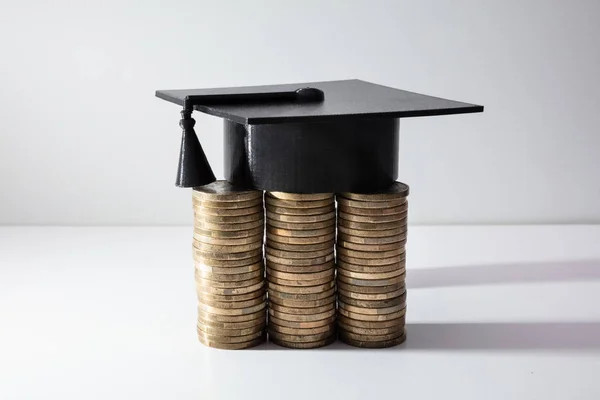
{"x":358,"y":155}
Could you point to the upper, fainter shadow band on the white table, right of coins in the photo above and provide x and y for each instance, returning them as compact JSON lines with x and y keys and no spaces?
{"x":563,"y":271}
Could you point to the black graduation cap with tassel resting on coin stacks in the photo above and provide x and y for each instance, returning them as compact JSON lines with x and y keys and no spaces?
{"x":337,"y":136}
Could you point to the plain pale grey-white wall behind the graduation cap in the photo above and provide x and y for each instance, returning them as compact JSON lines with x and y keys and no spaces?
{"x":84,"y":140}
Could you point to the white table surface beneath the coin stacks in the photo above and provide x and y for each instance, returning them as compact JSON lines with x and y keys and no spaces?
{"x":109,"y":313}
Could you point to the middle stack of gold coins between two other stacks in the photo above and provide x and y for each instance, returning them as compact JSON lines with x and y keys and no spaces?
{"x":301,"y":269}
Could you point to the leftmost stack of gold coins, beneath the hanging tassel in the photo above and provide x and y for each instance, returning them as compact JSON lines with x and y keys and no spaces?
{"x":229,"y":267}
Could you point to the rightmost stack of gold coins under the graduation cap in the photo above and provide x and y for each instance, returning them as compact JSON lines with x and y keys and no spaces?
{"x":371,"y":267}
